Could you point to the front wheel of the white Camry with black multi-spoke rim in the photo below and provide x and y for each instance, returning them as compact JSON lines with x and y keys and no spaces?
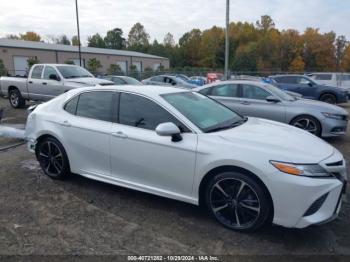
{"x":237,"y":201}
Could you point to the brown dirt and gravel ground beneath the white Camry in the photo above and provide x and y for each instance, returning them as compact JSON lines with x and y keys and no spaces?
{"x":40,"y":216}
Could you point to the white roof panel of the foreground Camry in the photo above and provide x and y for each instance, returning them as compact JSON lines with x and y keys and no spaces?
{"x":147,"y":90}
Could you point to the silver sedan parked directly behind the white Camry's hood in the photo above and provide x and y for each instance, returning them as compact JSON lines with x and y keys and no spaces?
{"x":258,"y":99}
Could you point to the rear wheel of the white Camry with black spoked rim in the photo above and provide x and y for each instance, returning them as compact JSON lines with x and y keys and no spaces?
{"x":52,"y":158}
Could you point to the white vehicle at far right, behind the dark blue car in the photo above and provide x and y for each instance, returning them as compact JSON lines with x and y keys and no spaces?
{"x":341,"y":80}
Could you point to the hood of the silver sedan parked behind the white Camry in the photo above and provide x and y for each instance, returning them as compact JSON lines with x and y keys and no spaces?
{"x":322,"y":106}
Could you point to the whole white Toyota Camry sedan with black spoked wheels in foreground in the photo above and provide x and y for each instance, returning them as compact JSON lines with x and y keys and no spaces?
{"x":183,"y":145}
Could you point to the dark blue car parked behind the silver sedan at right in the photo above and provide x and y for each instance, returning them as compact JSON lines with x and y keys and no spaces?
{"x":307,"y":87}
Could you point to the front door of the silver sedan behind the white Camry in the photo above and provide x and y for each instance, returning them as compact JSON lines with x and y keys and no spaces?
{"x":254,"y":104}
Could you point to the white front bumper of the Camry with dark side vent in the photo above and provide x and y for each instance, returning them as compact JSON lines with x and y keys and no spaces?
{"x":303,"y":201}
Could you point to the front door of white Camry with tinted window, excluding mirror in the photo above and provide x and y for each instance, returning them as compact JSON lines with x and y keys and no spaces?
{"x":143,"y":159}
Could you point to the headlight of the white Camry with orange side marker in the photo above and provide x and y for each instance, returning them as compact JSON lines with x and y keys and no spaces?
{"x":312,"y":170}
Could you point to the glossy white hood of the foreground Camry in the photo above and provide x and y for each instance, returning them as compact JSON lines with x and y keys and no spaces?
{"x":282,"y":142}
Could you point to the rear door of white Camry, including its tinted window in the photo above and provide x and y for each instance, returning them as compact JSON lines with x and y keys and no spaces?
{"x":86,"y":126}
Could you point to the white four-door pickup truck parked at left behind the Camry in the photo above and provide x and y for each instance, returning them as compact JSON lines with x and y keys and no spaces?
{"x":46,"y":81}
